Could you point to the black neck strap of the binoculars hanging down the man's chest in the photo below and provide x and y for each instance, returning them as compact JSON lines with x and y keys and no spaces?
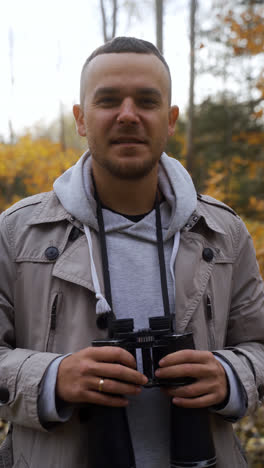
{"x":106,"y":321}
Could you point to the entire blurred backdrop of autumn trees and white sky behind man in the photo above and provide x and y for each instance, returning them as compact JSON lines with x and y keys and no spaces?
{"x":215,"y":50}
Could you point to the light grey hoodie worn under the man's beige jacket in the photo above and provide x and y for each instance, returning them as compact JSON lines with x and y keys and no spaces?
{"x":135,"y":279}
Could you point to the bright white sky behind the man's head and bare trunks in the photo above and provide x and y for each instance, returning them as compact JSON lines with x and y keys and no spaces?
{"x":51,"y":41}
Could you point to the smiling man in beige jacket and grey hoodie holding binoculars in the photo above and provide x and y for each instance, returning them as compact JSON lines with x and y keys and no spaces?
{"x":89,"y":252}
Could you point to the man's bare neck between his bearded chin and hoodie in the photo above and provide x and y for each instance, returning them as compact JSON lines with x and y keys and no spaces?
{"x":131,"y":197}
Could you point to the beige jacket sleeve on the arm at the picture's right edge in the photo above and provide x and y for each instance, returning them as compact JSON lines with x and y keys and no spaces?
{"x":245,"y":333}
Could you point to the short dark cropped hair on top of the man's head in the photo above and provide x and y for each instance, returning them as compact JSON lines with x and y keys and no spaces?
{"x":125,"y":44}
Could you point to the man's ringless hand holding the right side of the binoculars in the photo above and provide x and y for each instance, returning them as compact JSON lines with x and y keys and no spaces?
{"x":210,"y":387}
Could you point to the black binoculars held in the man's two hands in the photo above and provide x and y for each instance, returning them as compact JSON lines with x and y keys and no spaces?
{"x":191,"y":443}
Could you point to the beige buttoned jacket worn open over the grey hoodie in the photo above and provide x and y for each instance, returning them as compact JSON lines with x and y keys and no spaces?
{"x":47,"y":308}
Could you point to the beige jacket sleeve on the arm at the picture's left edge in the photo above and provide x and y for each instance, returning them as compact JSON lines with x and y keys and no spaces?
{"x":21,"y":370}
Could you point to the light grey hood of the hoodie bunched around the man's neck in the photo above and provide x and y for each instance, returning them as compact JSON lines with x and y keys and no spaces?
{"x":74,"y":189}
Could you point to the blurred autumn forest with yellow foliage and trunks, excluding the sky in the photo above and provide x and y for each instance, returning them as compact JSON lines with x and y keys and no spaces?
{"x":219,"y":139}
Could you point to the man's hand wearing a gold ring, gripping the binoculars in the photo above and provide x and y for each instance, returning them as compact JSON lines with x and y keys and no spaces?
{"x":79,"y":376}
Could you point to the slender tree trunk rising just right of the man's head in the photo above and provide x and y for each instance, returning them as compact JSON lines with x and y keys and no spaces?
{"x":190,"y":123}
